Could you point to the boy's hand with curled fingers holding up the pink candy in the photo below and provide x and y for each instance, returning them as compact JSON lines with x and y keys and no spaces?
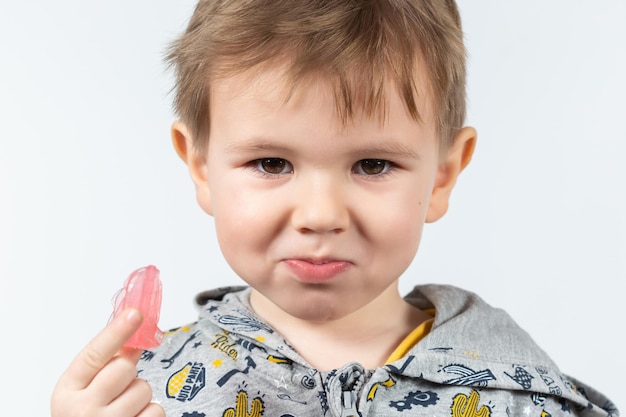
{"x":102,"y":380}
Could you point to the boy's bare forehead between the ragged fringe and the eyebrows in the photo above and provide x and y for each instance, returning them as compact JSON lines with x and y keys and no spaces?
{"x":262,"y":110}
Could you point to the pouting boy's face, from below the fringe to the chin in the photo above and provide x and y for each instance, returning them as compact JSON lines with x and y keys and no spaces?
{"x":319,"y":218}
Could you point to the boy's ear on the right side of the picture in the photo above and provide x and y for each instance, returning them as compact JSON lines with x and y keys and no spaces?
{"x":457,"y":158}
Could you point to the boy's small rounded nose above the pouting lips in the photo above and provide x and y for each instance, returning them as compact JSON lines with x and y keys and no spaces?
{"x":321,"y":206}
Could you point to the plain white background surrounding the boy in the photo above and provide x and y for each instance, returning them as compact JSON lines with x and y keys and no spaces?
{"x":90,"y":187}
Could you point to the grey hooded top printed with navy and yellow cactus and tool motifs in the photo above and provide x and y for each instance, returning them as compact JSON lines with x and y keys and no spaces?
{"x":475,"y":362}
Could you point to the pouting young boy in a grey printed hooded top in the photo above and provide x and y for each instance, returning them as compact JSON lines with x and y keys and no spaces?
{"x":321,"y":136}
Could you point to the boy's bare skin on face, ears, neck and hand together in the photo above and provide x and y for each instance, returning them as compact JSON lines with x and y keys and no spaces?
{"x":321,"y":219}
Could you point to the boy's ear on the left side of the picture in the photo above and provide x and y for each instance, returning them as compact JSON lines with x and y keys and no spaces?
{"x":196,"y":162}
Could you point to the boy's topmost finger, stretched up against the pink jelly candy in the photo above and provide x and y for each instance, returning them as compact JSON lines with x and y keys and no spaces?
{"x":101,"y":349}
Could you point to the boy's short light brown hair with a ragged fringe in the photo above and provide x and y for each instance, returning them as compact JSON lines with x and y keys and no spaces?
{"x":356,"y":44}
